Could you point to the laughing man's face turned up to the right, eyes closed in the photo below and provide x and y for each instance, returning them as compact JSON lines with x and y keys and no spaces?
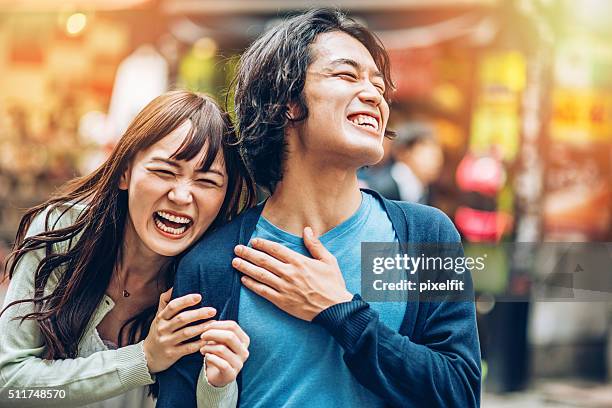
{"x":347,"y":113}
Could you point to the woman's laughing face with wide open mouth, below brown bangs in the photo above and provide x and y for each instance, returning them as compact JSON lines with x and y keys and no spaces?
{"x":171,"y":202}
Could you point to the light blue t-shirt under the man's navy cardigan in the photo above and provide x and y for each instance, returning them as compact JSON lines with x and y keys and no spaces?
{"x":294,"y":363}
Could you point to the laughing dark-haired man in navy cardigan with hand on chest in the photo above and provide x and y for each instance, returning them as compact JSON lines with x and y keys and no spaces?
{"x":311,"y":104}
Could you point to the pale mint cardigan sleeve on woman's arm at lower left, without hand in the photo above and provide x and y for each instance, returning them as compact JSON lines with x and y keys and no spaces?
{"x":97,"y":377}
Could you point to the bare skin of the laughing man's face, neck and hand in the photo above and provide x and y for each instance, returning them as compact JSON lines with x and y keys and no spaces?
{"x":319,"y":189}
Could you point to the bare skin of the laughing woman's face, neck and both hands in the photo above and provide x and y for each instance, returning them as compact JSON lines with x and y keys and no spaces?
{"x":156,"y":182}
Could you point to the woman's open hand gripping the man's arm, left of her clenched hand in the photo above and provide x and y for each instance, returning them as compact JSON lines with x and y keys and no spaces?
{"x":170,"y":329}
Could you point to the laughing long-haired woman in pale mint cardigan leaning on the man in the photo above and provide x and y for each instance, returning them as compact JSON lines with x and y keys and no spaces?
{"x":88,"y":319}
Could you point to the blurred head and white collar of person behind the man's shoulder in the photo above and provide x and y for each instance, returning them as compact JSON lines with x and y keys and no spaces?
{"x":418,"y":161}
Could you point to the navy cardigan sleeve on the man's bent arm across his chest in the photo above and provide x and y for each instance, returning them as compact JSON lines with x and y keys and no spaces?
{"x":440,"y":367}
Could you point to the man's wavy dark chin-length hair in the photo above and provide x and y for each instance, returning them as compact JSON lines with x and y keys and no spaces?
{"x":271,"y":75}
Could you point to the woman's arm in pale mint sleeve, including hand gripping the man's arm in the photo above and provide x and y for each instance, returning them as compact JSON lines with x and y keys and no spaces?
{"x":96,"y":376}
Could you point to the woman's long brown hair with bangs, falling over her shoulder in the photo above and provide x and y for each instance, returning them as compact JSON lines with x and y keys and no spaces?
{"x":94,"y":240}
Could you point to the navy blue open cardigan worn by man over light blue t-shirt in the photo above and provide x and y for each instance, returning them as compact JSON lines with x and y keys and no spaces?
{"x":433,"y":361}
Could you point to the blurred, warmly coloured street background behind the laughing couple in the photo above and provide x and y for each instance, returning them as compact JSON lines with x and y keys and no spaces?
{"x":503,"y":110}
